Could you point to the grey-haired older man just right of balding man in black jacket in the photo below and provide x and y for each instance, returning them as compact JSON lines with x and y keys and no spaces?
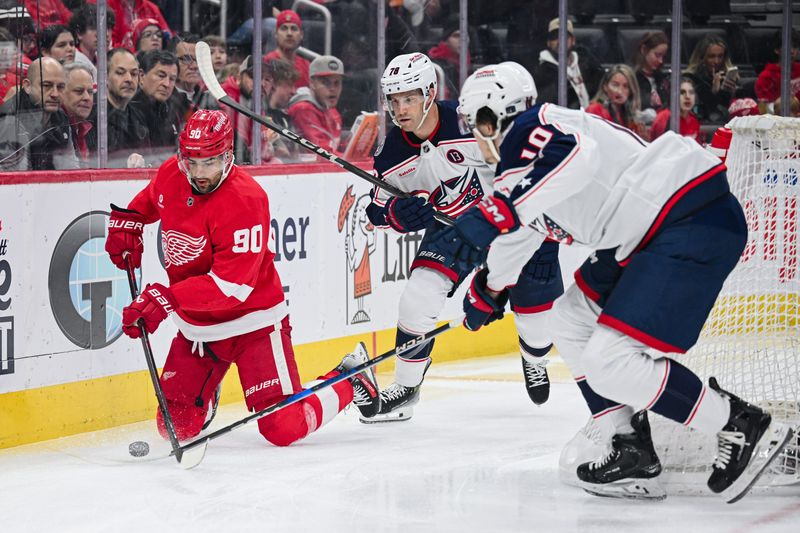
{"x":78,"y":103}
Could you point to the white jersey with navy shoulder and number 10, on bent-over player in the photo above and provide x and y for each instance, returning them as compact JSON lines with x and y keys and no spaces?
{"x":575,"y":177}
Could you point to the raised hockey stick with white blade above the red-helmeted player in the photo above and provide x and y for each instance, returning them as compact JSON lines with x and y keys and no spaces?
{"x":207,"y":73}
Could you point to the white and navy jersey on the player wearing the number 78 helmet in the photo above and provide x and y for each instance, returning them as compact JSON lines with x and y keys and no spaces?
{"x":447,"y":168}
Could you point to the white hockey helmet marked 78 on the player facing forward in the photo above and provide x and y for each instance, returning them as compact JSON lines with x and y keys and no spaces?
{"x":409,"y":72}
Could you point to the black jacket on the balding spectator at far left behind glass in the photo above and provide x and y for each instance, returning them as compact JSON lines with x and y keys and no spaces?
{"x":33,"y":140}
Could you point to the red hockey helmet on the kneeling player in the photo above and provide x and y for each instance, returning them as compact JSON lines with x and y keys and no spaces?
{"x":208,"y":133}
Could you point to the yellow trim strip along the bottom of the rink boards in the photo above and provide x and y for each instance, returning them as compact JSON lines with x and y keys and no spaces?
{"x":61,"y":410}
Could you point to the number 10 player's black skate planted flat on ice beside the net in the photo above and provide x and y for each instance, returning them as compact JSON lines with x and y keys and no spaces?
{"x":630,"y":468}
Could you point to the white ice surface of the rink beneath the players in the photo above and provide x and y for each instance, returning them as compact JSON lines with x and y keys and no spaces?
{"x":477,"y":456}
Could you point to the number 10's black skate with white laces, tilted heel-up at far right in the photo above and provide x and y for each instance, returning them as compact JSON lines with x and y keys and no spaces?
{"x":746,"y":446}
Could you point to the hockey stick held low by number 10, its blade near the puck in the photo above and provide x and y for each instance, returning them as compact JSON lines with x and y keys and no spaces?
{"x":203,"y":441}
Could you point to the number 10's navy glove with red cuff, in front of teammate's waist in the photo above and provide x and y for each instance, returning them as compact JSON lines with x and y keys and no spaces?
{"x":464,"y":245}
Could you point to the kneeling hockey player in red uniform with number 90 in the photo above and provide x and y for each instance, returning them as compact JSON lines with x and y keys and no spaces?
{"x":224,"y":292}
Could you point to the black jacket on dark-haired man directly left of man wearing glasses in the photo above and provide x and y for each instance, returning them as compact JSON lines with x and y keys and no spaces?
{"x":164,"y":124}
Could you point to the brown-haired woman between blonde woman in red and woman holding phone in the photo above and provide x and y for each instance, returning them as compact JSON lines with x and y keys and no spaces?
{"x":653,"y":80}
